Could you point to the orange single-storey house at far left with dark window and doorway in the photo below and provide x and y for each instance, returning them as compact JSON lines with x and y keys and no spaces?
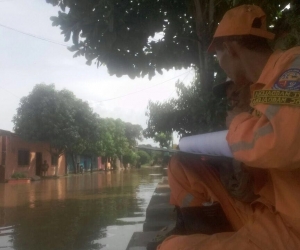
{"x":17,"y":155}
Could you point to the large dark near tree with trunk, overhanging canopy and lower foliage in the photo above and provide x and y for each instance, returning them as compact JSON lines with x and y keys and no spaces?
{"x":121,"y":35}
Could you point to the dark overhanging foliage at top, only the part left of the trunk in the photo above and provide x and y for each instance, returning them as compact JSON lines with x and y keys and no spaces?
{"x":116,"y":33}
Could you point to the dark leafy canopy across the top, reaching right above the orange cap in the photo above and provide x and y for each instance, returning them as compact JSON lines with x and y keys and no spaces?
{"x":120,"y":33}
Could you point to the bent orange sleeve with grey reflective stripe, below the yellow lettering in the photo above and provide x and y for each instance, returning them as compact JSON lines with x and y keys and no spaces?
{"x":269,"y":141}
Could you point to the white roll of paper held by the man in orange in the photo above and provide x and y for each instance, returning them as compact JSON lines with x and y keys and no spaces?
{"x":212,"y":144}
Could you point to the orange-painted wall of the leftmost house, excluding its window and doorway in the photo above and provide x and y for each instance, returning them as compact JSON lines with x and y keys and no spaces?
{"x":15,"y":143}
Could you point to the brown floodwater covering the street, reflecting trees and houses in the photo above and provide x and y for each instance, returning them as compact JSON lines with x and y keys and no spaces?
{"x":78,"y":212}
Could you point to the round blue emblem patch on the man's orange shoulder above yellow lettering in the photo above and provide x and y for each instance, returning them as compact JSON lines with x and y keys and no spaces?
{"x":289,"y":80}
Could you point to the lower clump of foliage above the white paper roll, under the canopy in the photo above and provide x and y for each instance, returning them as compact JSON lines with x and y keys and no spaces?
{"x":193,"y":112}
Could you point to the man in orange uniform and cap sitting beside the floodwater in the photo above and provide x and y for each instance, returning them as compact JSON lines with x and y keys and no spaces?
{"x":266,"y":140}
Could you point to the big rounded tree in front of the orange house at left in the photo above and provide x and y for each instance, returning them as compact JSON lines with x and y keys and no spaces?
{"x":57,"y":117}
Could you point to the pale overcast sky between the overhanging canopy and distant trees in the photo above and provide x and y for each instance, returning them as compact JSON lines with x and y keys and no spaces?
{"x":26,"y":61}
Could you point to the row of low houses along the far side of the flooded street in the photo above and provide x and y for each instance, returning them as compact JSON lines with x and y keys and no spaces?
{"x":20,"y":156}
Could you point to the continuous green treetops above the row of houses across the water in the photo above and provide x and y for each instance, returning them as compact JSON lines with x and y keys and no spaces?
{"x":68,"y":123}
